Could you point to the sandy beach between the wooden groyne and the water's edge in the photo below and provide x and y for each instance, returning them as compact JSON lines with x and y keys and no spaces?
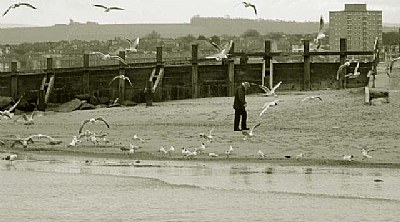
{"x":323,"y":131}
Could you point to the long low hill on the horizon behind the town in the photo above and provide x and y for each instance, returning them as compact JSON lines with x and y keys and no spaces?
{"x":197,"y":26}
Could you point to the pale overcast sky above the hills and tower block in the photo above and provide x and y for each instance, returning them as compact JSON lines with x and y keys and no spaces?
{"x":51,"y":12}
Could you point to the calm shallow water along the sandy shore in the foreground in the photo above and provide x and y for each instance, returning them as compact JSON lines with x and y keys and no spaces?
{"x":72,"y":190}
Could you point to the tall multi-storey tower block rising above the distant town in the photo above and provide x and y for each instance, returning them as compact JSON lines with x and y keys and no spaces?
{"x":357,"y":24}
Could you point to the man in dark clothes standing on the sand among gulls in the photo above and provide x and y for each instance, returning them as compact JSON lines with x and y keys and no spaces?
{"x":240,"y":106}
